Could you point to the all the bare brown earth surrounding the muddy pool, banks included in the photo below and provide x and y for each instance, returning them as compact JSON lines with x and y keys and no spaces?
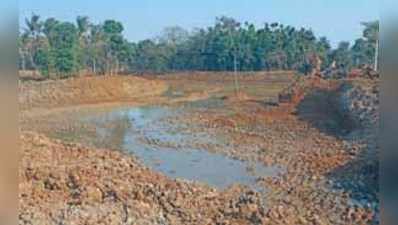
{"x":329,"y":160}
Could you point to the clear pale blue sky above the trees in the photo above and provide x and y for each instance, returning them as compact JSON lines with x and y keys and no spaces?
{"x":338,"y":20}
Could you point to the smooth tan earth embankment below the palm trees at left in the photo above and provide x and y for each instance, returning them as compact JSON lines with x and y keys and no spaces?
{"x":87,"y":90}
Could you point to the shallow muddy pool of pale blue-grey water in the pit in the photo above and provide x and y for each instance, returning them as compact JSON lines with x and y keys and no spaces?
{"x":168,"y":147}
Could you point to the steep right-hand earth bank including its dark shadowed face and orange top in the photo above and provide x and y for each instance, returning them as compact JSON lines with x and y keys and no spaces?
{"x":349,"y":110}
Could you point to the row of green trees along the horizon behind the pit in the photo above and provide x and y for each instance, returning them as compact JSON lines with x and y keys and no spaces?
{"x":61,"y":49}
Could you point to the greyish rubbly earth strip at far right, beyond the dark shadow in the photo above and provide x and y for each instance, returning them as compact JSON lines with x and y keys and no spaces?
{"x":359,"y":101}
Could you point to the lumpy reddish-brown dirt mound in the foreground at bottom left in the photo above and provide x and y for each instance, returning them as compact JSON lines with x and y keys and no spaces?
{"x":67,"y":182}
